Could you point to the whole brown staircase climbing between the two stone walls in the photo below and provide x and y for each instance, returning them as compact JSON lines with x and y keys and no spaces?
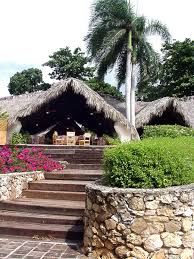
{"x":54,"y":207}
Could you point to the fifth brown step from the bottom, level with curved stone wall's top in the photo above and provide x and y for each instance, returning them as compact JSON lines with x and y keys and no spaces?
{"x":59,"y":185}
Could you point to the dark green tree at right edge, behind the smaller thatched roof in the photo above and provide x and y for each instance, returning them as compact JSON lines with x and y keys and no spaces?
{"x":175,"y":76}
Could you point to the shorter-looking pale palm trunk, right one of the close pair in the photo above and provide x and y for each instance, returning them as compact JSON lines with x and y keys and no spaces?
{"x":132,"y":97}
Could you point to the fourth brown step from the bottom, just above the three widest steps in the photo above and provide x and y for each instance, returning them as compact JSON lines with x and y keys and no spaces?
{"x":55,"y":195}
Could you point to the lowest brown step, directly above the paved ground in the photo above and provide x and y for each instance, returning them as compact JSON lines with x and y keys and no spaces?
{"x":67,"y":232}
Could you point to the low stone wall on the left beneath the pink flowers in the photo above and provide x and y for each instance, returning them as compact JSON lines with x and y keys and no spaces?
{"x":11,"y":185}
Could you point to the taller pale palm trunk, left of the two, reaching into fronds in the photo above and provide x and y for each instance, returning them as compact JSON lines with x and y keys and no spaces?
{"x":128,"y":78}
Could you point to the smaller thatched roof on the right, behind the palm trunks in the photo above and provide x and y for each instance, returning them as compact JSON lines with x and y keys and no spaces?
{"x":146,"y":112}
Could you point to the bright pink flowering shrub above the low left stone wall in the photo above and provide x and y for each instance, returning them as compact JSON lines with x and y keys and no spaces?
{"x":23,"y":160}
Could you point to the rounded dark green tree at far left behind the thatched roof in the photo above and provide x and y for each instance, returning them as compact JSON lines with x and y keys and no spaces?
{"x":27,"y":81}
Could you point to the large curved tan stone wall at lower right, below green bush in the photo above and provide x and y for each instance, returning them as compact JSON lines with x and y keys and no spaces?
{"x":139,"y":223}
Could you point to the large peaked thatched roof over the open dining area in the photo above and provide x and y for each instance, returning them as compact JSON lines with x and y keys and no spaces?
{"x":24,"y":105}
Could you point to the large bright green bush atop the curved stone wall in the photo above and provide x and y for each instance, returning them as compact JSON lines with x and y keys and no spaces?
{"x":150,"y":163}
